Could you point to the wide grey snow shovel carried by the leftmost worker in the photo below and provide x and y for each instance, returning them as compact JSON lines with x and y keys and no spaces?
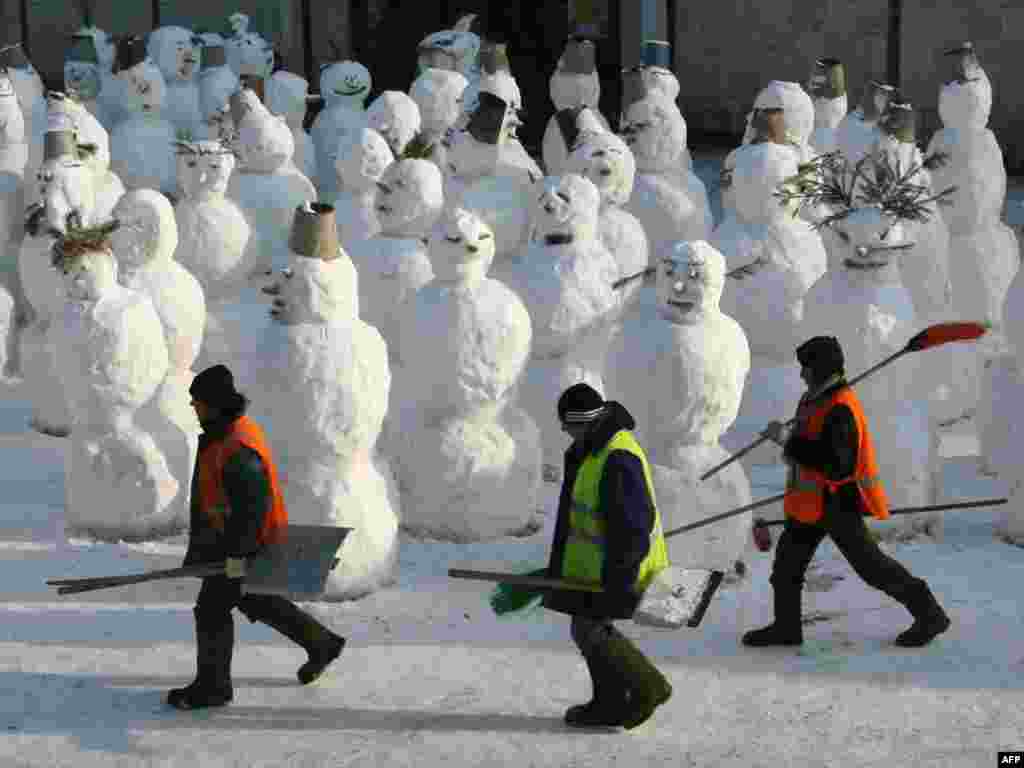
{"x":296,"y":569}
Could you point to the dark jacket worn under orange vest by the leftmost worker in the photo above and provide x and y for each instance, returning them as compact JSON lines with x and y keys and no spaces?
{"x":248,"y":491}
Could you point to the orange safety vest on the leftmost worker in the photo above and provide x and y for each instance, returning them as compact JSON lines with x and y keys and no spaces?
{"x":214,"y":501}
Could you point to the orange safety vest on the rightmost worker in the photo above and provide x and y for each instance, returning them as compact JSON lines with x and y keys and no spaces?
{"x":805,"y":487}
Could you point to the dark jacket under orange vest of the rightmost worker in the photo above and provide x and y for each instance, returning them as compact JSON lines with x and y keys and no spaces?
{"x":834,"y":453}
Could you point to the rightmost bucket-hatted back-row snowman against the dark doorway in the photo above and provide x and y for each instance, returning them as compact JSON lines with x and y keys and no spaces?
{"x":574,"y":84}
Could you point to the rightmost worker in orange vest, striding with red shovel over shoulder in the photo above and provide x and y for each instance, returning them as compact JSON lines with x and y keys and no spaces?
{"x":834,"y":482}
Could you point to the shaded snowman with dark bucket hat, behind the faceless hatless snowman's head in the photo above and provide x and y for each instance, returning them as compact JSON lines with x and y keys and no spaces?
{"x":143,"y":144}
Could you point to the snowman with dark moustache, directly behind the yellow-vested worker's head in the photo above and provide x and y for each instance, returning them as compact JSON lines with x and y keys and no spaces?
{"x":566,"y":278}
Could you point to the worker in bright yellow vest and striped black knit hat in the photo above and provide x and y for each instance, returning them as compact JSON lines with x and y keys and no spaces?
{"x":609,"y":534}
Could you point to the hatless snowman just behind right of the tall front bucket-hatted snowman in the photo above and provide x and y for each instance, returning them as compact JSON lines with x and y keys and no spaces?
{"x":363,"y":158}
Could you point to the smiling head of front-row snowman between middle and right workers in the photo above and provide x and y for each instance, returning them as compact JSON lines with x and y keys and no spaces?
{"x":690,"y":283}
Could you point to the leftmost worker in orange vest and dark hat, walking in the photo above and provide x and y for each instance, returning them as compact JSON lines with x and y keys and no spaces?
{"x":237,"y":508}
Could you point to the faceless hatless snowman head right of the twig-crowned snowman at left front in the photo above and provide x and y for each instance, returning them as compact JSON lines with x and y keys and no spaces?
{"x":148,"y":230}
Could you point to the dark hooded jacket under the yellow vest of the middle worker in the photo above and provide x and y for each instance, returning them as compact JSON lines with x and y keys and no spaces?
{"x":629,"y":515}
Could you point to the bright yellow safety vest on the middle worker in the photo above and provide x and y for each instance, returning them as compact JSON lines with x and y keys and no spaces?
{"x":585,"y":546}
